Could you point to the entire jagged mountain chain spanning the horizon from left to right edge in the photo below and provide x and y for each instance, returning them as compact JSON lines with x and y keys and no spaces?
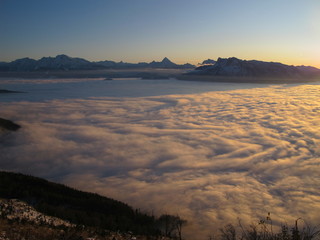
{"x":223,"y":67}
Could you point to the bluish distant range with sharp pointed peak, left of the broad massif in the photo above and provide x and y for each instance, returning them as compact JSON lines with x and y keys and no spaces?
{"x":64,"y":62}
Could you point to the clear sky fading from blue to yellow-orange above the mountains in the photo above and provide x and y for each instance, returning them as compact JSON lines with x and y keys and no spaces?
{"x":285,"y":31}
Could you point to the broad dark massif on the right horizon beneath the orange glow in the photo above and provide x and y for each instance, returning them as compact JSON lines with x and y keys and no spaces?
{"x":234,"y":67}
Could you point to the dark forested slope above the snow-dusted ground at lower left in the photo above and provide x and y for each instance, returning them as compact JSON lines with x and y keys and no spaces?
{"x":75,"y":206}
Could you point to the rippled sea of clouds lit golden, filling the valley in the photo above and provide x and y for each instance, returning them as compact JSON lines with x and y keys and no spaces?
{"x":210,"y":157}
